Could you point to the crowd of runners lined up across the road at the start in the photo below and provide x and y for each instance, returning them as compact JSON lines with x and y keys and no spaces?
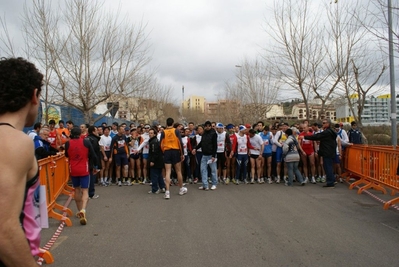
{"x":211,"y":153}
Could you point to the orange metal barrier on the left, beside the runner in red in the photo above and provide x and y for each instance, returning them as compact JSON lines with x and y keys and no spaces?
{"x":54,"y":174}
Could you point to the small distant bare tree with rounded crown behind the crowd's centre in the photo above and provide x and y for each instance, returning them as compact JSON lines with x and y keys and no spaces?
{"x":255,"y":90}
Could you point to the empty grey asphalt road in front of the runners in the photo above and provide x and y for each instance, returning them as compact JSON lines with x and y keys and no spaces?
{"x":245,"y":225}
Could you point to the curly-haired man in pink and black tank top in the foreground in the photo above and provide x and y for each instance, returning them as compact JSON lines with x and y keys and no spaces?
{"x":20,"y":86}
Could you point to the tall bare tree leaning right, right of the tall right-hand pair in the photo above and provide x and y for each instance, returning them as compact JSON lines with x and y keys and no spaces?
{"x":342,"y":39}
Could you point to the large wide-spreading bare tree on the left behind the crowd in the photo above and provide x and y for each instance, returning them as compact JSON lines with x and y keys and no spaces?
{"x":93,"y":54}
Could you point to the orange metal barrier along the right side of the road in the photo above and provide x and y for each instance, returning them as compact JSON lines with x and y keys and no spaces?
{"x":375,"y":166}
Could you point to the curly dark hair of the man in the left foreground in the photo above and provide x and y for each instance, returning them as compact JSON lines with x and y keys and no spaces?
{"x":18,"y":80}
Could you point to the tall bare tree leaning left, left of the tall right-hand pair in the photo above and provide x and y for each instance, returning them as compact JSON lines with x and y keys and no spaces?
{"x":296,"y":41}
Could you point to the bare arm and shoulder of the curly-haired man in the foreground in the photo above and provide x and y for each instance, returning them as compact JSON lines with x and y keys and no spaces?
{"x":16,"y":167}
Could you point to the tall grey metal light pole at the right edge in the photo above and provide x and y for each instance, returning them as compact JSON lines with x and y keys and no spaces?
{"x":392,"y":78}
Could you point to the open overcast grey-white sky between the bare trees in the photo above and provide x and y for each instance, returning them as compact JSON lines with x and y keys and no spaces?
{"x":194,"y":43}
